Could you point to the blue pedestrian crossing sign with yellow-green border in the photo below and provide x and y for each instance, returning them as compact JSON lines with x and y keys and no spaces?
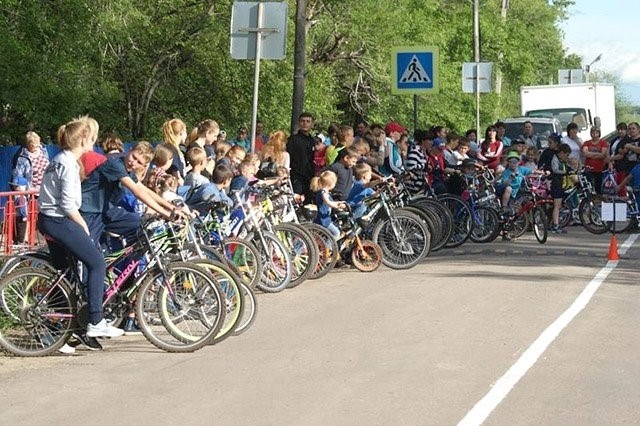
{"x":414,"y":70}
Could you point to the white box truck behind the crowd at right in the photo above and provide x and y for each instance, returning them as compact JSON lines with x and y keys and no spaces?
{"x":586,"y":104}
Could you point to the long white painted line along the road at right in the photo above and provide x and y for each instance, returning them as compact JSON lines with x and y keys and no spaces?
{"x":503,"y":386}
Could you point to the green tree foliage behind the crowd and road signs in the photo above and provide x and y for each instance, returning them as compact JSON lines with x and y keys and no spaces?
{"x":133,"y":64}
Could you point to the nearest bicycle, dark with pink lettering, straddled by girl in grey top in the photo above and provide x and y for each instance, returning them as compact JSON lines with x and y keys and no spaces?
{"x":179,"y":306}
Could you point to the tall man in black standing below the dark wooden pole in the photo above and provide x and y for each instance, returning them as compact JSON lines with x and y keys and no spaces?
{"x":300,"y":148}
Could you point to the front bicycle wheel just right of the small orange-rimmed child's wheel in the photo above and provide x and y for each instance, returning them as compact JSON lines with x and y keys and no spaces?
{"x":403,"y":238}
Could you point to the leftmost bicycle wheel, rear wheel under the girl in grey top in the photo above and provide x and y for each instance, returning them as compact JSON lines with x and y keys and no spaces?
{"x":37,"y":315}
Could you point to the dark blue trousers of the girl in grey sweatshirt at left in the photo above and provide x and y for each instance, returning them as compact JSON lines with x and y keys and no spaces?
{"x":66,"y":236}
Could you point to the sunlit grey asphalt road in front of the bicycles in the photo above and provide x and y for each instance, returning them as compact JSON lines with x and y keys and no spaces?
{"x":422,"y":346}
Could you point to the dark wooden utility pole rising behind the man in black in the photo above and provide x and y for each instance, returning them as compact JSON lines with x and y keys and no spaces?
{"x":297,"y":103}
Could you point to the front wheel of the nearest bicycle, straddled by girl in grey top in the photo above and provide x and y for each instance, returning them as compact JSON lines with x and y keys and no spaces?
{"x":181,"y":310}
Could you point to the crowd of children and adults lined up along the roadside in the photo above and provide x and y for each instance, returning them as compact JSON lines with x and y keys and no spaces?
{"x":83,"y":193}
